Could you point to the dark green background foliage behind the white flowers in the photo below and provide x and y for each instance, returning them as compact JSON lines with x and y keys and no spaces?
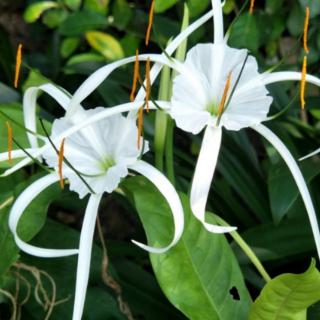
{"x":67,"y":40}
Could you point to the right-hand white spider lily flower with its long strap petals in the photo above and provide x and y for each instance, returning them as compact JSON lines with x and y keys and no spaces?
{"x":230,"y":93}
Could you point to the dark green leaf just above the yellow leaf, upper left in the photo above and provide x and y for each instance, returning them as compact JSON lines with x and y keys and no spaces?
{"x":80,"y":22}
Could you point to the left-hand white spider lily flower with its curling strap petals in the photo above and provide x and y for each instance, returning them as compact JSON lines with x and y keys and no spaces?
{"x":102,"y":147}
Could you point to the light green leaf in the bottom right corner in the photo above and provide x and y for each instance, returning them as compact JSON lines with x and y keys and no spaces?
{"x":288,"y":296}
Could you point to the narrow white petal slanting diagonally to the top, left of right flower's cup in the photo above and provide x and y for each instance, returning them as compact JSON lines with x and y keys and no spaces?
{"x":171,"y":48}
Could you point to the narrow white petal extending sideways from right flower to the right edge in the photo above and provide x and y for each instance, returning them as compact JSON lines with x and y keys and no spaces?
{"x":269,"y":78}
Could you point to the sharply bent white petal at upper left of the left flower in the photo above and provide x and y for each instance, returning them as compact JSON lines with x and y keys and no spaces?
{"x":29,"y":106}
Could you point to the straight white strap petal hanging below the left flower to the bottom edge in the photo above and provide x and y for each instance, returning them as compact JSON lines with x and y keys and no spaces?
{"x":85,"y":248}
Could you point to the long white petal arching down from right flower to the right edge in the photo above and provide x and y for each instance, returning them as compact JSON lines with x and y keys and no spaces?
{"x":298,"y":177}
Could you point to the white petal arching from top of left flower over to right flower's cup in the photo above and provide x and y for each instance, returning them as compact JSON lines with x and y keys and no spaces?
{"x":93,"y":81}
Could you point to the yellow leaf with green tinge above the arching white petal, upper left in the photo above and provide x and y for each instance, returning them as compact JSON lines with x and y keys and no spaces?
{"x":106,"y":44}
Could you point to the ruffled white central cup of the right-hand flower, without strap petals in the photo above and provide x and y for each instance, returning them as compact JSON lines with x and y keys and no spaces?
{"x":196,"y":100}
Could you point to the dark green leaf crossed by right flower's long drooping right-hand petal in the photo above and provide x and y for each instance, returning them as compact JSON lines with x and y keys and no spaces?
{"x":283,"y":191}
